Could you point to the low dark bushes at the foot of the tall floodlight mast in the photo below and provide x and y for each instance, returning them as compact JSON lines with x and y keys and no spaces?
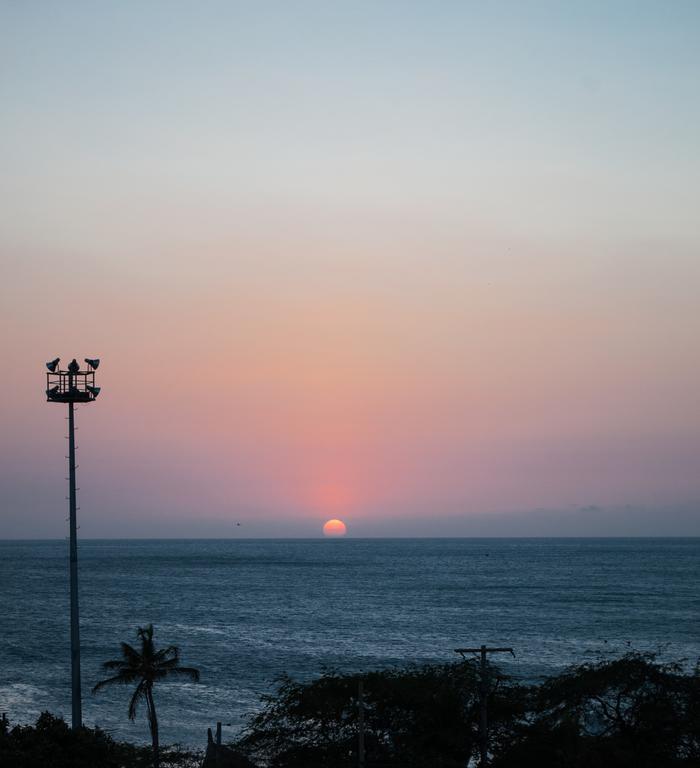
{"x":52,"y":744}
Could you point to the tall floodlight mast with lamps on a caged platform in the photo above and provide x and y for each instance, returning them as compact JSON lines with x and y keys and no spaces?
{"x":73,"y":386}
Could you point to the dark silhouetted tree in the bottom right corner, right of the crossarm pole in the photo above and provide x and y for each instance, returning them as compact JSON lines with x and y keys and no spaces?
{"x":629,"y":712}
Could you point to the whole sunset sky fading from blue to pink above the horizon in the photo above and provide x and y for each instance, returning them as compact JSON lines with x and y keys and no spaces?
{"x":431,"y":268}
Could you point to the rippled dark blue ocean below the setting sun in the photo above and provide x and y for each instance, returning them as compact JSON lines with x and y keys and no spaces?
{"x":247,"y":611}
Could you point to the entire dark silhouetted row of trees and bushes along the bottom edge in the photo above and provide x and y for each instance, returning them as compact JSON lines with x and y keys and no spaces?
{"x":631,"y":712}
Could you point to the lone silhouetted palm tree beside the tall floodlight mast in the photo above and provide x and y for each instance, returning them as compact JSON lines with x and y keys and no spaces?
{"x":145,"y":667}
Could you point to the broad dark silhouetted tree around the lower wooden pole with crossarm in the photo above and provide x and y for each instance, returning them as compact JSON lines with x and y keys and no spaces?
{"x":414,"y":717}
